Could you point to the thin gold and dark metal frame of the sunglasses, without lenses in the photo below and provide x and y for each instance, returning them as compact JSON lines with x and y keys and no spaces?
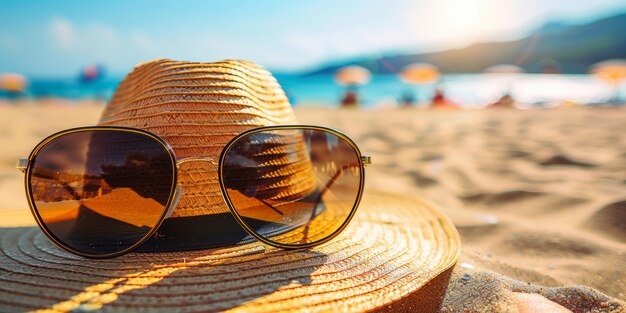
{"x":24,"y":165}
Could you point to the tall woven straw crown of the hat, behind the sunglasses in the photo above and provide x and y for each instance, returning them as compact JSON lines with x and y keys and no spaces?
{"x":197,"y":108}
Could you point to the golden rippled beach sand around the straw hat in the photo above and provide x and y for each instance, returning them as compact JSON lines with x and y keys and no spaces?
{"x":538,"y":196}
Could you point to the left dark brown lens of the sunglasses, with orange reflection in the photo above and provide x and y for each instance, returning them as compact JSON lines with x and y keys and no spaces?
{"x":101,"y":191}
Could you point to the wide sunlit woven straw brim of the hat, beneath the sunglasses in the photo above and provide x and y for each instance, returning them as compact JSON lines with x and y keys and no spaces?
{"x":393,"y":247}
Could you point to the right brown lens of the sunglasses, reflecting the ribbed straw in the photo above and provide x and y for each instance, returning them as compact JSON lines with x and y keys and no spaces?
{"x":293,"y":187}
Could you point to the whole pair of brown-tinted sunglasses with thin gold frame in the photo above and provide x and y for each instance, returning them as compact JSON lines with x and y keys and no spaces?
{"x":103,"y":191}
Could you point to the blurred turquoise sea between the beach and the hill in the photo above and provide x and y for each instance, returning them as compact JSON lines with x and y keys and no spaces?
{"x":467,"y":90}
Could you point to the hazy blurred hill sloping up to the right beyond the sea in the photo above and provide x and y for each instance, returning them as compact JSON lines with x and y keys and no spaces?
{"x":553,"y":48}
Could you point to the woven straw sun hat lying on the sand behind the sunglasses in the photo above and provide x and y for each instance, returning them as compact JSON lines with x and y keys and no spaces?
{"x":397,"y":254}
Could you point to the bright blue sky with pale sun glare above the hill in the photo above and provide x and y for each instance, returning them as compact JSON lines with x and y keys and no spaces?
{"x":57,"y":38}
